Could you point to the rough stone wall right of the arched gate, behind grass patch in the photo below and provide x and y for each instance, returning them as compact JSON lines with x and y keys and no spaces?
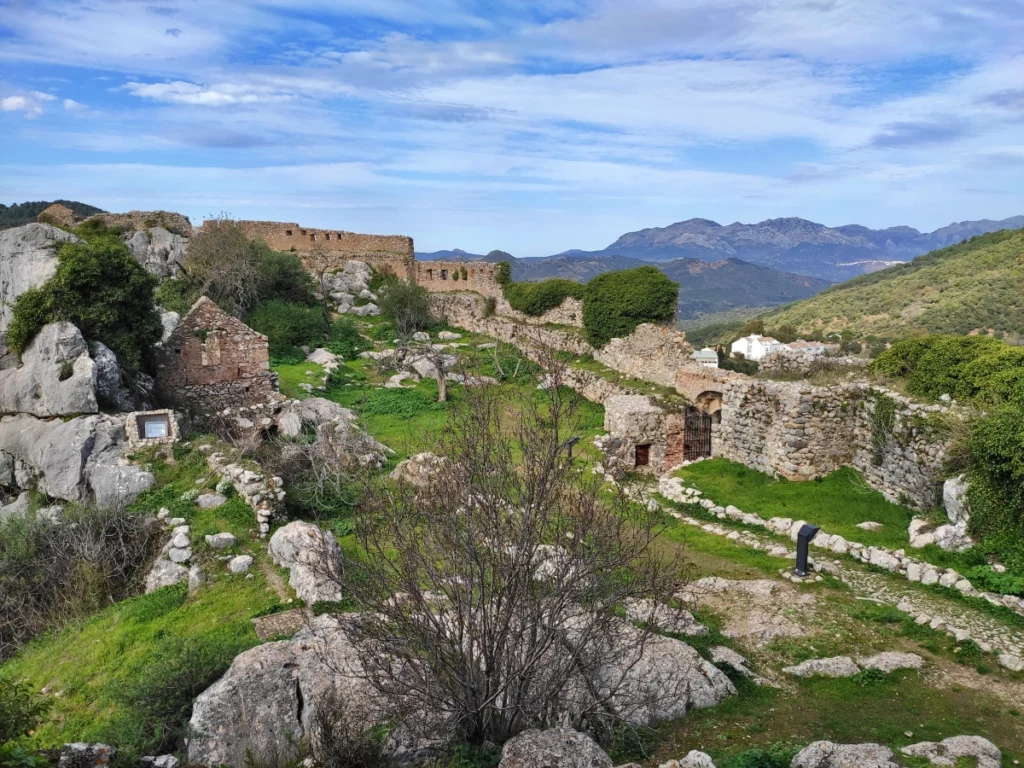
{"x":800,"y":433}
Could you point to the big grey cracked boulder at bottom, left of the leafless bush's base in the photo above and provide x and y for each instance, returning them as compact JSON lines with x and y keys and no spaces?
{"x":269,"y":699}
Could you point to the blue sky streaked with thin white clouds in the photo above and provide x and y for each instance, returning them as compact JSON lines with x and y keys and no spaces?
{"x":531,"y":127}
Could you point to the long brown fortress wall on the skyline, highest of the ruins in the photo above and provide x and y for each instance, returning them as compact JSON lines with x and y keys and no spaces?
{"x":393,"y":252}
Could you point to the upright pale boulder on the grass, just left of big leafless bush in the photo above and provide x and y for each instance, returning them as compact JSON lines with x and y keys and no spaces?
{"x":313,"y":558}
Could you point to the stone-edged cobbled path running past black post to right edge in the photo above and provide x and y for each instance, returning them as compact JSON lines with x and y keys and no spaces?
{"x":960,"y":620}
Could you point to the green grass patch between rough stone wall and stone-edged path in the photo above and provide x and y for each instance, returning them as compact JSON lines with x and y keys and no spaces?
{"x":837,"y":502}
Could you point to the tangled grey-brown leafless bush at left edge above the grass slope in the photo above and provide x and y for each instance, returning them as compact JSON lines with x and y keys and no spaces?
{"x":55,"y":572}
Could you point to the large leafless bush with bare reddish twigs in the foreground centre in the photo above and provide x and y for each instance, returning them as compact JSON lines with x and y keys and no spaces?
{"x":493,"y":595}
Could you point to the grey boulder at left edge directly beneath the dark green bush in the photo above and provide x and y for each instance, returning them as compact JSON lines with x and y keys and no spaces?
{"x":57,"y":377}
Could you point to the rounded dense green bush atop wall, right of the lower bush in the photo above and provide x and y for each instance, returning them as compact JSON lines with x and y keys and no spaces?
{"x":615,"y":304}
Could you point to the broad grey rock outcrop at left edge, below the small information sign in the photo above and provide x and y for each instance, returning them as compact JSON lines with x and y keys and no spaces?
{"x":80,"y":460}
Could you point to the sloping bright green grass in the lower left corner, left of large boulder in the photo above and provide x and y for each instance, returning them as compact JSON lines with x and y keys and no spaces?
{"x":97,"y":667}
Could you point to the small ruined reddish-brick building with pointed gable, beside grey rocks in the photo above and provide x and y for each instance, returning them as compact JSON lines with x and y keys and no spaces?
{"x":212,"y":362}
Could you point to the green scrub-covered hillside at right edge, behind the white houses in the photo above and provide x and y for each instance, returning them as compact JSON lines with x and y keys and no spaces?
{"x":976,"y":286}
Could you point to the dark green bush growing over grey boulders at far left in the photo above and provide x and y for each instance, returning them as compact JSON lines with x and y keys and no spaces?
{"x":101,"y":288}
